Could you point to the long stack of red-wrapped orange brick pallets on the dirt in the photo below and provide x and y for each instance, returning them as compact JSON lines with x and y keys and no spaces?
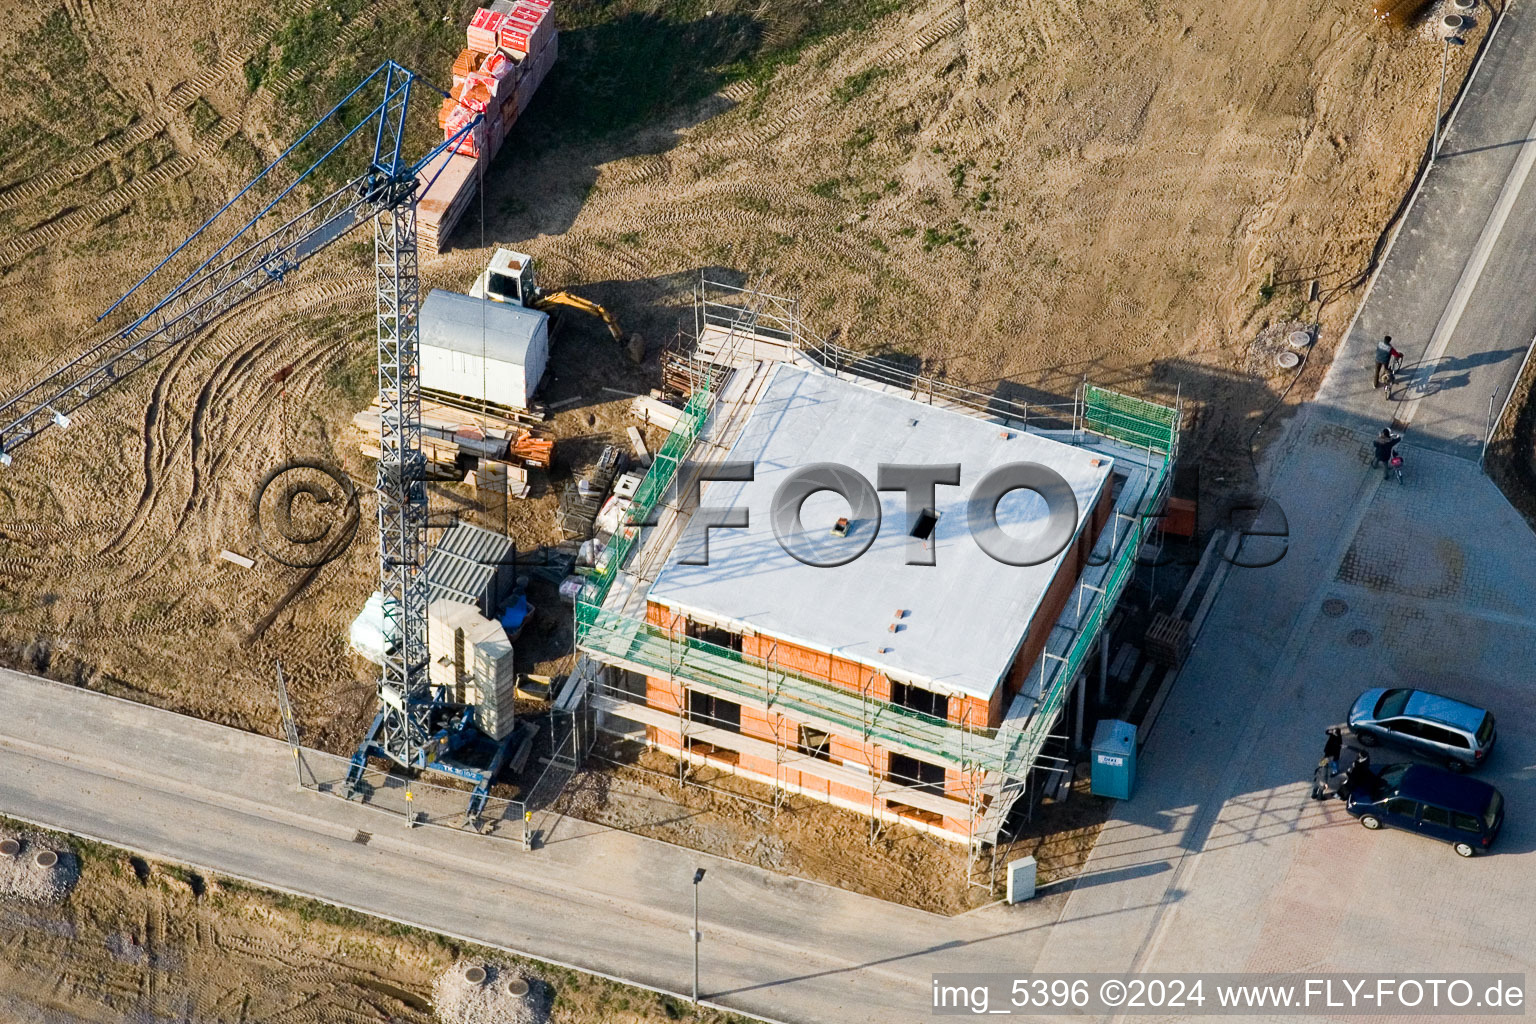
{"x":511,"y":48}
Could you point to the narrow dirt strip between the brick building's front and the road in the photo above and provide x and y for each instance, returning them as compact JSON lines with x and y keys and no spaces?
{"x":637,"y":790}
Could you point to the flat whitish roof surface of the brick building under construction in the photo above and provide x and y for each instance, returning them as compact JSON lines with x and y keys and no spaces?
{"x":967,"y":616}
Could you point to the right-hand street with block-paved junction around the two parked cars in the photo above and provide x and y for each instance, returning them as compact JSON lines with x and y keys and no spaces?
{"x":1233,"y":865}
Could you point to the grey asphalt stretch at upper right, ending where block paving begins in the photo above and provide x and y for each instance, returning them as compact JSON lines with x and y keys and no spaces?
{"x":1458,"y":289}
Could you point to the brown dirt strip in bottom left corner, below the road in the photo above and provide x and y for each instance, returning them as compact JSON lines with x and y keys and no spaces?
{"x":151,"y":942}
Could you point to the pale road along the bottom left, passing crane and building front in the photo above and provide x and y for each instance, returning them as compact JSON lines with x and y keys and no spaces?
{"x":603,"y":900}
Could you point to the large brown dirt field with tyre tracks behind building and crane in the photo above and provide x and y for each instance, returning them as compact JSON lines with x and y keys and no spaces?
{"x":1019,"y":194}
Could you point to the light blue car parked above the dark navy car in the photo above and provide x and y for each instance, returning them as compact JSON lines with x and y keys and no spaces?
{"x":1452,"y":733}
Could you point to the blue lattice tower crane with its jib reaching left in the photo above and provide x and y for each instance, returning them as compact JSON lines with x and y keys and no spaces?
{"x":415,"y":725}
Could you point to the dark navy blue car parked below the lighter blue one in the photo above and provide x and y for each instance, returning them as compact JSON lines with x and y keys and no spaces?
{"x":1466,"y":813}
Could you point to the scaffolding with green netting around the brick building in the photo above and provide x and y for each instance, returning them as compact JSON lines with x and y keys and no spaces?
{"x":993,"y":764}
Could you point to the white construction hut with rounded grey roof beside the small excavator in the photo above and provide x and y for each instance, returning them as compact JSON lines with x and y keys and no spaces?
{"x":492,"y":352}
